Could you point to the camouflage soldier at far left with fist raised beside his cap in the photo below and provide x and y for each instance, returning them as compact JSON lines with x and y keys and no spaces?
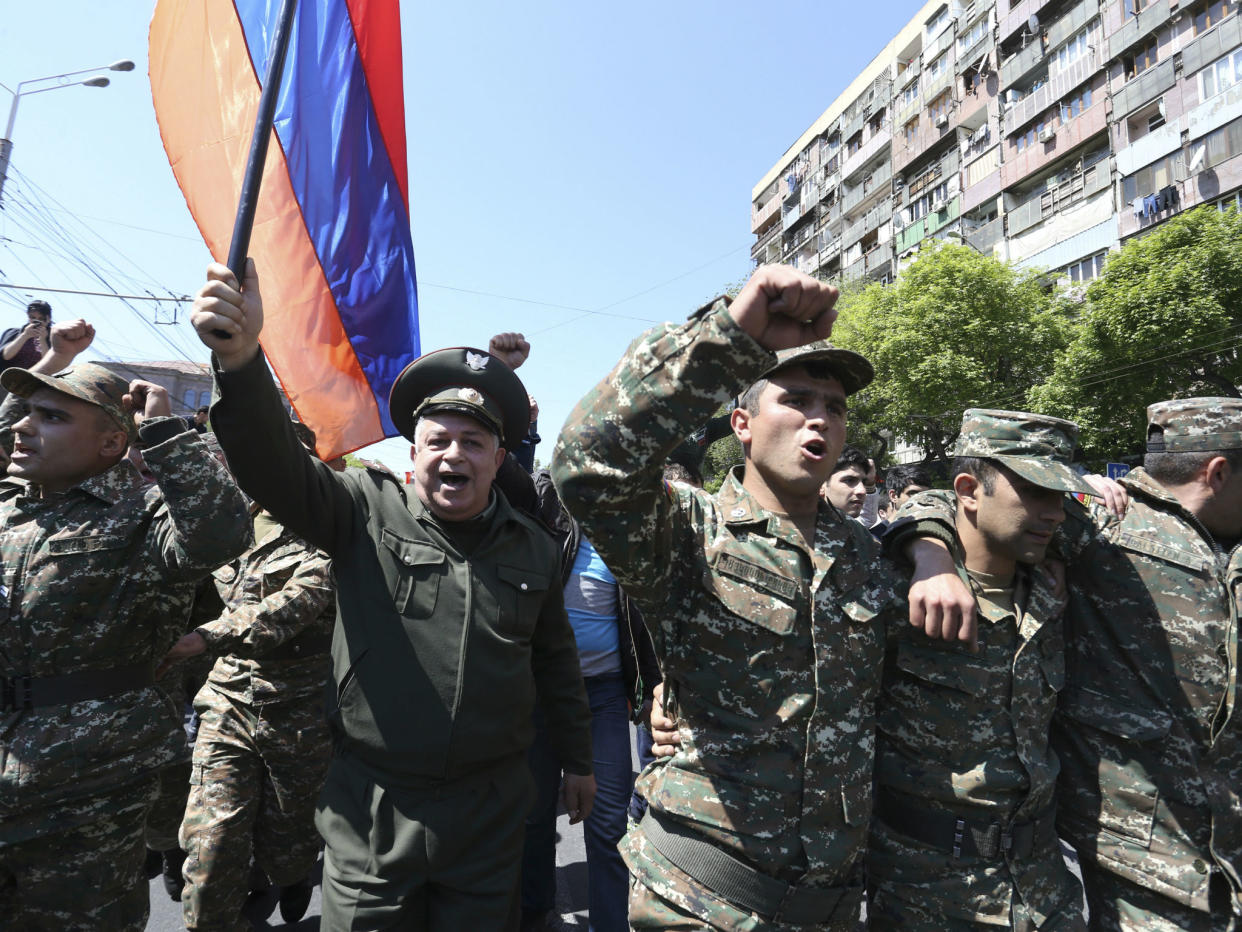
{"x":99,"y":571}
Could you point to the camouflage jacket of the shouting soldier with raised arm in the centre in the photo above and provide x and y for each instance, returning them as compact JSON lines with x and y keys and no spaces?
{"x":772,"y":651}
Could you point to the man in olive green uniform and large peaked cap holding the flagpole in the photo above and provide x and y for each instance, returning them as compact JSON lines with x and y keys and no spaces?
{"x":450,"y":618}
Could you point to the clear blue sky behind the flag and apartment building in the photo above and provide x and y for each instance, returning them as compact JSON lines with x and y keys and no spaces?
{"x":567,"y":155}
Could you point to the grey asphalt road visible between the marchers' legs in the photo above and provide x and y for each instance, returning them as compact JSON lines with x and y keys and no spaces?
{"x":264,"y":911}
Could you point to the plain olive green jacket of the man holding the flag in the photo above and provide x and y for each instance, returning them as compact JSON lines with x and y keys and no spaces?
{"x":438,"y":657}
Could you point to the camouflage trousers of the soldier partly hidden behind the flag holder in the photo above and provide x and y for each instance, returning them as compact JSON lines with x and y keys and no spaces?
{"x":254,"y":784}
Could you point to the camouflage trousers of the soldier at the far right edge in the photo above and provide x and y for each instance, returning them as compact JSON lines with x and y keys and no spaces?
{"x":1120,"y":905}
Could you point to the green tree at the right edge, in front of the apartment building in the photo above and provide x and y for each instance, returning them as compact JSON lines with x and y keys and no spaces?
{"x":1163,"y":321}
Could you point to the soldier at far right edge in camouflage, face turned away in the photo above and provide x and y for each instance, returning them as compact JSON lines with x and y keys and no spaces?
{"x":1147,"y":730}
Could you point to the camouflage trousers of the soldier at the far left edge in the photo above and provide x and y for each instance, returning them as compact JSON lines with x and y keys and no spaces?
{"x":86,"y":877}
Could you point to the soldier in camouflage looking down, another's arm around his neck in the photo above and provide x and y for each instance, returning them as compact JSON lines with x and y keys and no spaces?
{"x":963,"y":834}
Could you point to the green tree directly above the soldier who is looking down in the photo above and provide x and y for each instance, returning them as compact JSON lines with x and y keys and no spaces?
{"x":957,"y":330}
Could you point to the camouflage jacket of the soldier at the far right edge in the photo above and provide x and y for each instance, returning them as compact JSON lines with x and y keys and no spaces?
{"x":1147,"y":731}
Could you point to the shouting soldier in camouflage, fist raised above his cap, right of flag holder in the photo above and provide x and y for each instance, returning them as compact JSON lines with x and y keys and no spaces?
{"x":771,"y":610}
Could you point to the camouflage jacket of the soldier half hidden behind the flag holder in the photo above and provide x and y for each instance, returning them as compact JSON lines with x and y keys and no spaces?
{"x":279,"y":591}
